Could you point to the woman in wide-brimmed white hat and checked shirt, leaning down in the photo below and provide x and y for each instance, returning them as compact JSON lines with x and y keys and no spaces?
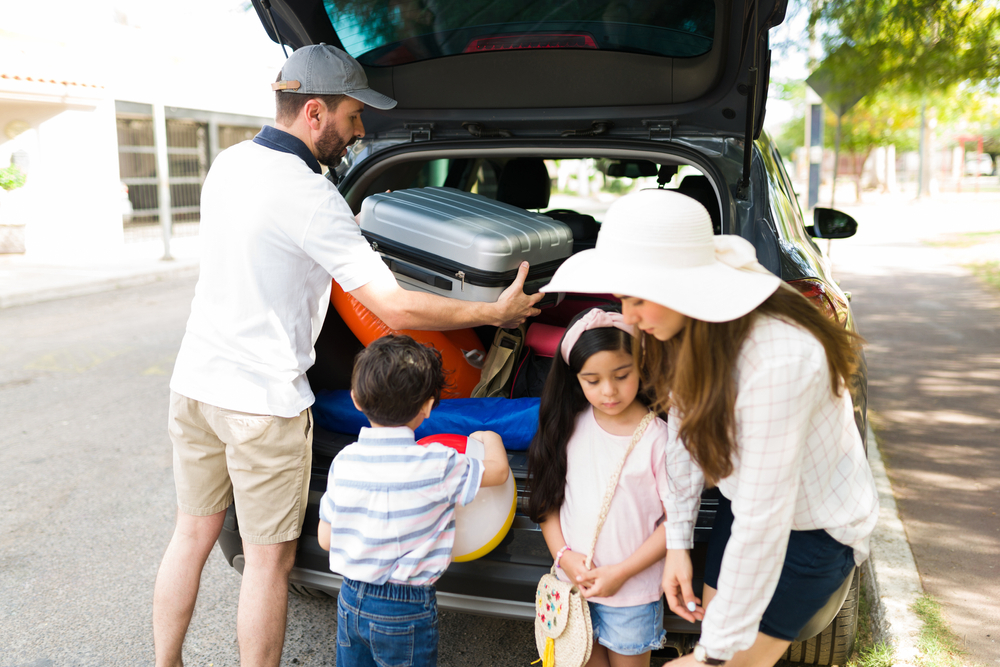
{"x":754,"y":381}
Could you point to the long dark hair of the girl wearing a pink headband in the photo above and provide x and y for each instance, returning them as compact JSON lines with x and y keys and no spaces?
{"x":562,"y":400}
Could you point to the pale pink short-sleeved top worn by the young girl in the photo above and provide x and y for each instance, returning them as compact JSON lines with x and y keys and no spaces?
{"x":592,"y":456}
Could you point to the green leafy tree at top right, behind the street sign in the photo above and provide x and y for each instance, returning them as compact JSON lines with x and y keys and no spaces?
{"x":916,"y":53}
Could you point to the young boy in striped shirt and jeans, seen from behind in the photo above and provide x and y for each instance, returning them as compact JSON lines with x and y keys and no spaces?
{"x":390,"y":506}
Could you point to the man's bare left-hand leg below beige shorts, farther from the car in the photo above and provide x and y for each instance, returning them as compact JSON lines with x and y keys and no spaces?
{"x":177,"y":583}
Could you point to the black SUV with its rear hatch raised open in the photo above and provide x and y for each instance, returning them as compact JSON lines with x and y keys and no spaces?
{"x":521,"y":101}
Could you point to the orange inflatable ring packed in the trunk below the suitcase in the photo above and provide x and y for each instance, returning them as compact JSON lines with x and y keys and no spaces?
{"x":452,"y":345}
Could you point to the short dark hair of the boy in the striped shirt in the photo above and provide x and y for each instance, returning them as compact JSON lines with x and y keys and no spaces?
{"x":394,"y":377}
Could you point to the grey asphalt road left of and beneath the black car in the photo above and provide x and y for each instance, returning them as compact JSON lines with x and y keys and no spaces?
{"x":87,"y":502}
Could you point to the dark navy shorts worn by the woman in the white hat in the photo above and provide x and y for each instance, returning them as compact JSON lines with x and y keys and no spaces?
{"x":815,"y":567}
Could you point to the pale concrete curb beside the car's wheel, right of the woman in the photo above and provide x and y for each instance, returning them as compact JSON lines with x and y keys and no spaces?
{"x":891,"y":580}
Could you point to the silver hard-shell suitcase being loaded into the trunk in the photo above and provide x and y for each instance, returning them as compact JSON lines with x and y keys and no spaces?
{"x":462,"y":245}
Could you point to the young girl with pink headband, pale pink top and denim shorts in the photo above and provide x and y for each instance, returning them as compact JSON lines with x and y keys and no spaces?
{"x":590,"y":408}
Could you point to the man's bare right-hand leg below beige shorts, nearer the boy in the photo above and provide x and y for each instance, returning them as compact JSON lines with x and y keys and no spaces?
{"x":260,"y":623}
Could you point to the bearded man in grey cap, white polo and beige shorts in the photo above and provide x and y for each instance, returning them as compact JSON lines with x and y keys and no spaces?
{"x":273,"y":232}
